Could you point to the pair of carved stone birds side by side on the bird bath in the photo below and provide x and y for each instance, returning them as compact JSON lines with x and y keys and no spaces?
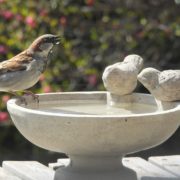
{"x":121,"y":79}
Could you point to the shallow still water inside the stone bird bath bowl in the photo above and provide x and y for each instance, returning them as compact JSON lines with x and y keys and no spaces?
{"x":94,"y":108}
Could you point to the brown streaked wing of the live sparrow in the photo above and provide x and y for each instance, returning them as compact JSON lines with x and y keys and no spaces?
{"x":17,"y":63}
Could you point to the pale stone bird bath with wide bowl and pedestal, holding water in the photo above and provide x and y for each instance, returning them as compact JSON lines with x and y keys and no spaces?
{"x":95,"y":129}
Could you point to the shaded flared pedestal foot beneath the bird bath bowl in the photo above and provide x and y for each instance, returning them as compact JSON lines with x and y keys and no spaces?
{"x":95,"y":168}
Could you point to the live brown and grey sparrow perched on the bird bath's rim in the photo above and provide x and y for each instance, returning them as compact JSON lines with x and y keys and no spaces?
{"x":23,"y":70}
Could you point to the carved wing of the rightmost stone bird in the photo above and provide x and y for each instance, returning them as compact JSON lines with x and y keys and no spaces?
{"x":170,"y":79}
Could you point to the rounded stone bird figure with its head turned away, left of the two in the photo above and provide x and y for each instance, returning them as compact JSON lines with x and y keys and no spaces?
{"x":121,"y":78}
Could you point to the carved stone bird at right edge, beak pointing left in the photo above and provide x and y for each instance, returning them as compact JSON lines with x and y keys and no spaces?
{"x":164,"y":86}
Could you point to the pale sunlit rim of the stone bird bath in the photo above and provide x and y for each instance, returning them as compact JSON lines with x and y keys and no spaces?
{"x":15,"y":103}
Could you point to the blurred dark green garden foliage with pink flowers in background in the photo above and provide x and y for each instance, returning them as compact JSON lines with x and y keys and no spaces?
{"x":95,"y":33}
